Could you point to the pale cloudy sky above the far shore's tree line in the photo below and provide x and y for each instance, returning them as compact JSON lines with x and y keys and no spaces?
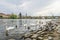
{"x":31,"y":7}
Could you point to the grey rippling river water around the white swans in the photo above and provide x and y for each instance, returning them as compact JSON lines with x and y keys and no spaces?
{"x":19,"y":22}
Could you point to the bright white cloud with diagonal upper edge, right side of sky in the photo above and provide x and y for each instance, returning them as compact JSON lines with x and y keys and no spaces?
{"x":53,"y":8}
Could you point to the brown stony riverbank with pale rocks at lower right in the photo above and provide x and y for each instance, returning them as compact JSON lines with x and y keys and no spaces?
{"x":43,"y":35}
